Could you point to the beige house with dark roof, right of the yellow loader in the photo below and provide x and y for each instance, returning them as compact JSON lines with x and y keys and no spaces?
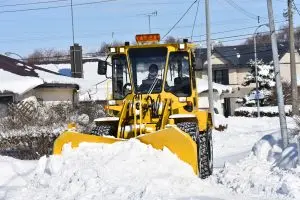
{"x":231,"y":64}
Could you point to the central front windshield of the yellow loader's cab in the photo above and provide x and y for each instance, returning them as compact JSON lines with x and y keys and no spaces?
{"x":148,"y":68}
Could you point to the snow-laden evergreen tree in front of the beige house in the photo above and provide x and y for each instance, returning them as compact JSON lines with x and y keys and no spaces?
{"x":266,"y":81}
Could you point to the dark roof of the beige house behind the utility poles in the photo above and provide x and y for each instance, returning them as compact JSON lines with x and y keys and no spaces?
{"x":240,"y":55}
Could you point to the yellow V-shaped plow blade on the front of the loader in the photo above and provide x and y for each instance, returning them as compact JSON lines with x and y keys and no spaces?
{"x":177,"y":141}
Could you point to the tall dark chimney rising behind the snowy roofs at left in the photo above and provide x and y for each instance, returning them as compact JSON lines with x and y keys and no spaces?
{"x":76,"y":61}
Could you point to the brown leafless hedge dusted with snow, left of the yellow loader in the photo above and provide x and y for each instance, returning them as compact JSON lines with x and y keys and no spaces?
{"x":34,"y":138}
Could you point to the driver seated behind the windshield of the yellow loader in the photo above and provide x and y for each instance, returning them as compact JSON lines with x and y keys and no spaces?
{"x":152,"y":82}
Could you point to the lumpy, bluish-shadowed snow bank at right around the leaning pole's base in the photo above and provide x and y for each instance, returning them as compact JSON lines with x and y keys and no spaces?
{"x":268,"y":171}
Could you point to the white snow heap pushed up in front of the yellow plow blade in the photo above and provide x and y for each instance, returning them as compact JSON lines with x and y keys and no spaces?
{"x":129,"y":170}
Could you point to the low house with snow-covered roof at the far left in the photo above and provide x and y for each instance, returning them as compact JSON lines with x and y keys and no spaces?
{"x":19,"y":80}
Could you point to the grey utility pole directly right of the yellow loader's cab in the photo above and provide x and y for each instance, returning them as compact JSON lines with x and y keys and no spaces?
{"x":209,"y":65}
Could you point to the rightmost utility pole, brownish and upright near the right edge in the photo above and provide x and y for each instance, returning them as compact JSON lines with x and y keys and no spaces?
{"x":295,"y":107}
